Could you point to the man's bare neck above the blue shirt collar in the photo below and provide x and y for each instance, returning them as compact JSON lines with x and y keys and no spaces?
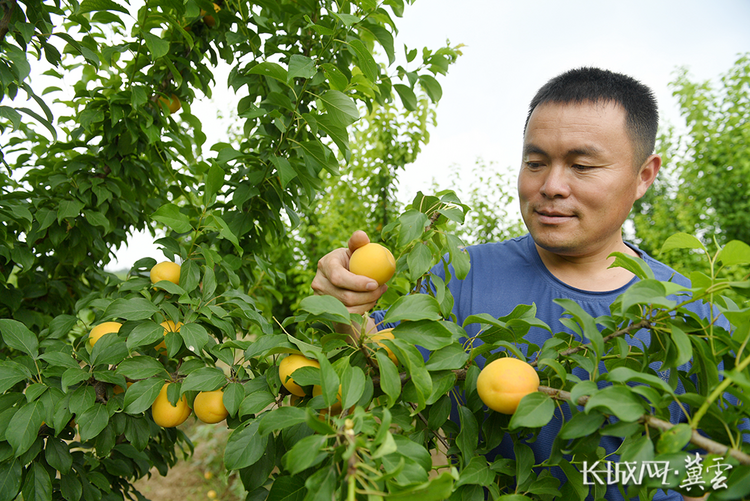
{"x":591,"y":271}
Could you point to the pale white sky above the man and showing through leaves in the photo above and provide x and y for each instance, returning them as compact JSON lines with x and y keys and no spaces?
{"x":513,"y":47}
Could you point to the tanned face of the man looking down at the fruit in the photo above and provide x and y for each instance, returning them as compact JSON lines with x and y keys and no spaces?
{"x":578,"y":182}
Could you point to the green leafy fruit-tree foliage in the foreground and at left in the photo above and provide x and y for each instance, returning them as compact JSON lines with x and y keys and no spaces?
{"x":116,"y":159}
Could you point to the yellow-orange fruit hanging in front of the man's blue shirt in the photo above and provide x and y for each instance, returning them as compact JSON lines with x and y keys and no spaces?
{"x":504,"y":382}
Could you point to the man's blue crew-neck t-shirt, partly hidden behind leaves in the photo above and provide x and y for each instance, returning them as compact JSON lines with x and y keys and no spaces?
{"x":506,"y":274}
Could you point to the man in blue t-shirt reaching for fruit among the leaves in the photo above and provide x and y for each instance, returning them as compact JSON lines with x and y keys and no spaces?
{"x":587,"y":157}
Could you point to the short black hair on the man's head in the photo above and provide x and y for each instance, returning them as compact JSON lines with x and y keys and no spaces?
{"x":596,"y":85}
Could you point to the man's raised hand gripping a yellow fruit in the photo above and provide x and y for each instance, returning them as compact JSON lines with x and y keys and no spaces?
{"x":333,"y":278}
